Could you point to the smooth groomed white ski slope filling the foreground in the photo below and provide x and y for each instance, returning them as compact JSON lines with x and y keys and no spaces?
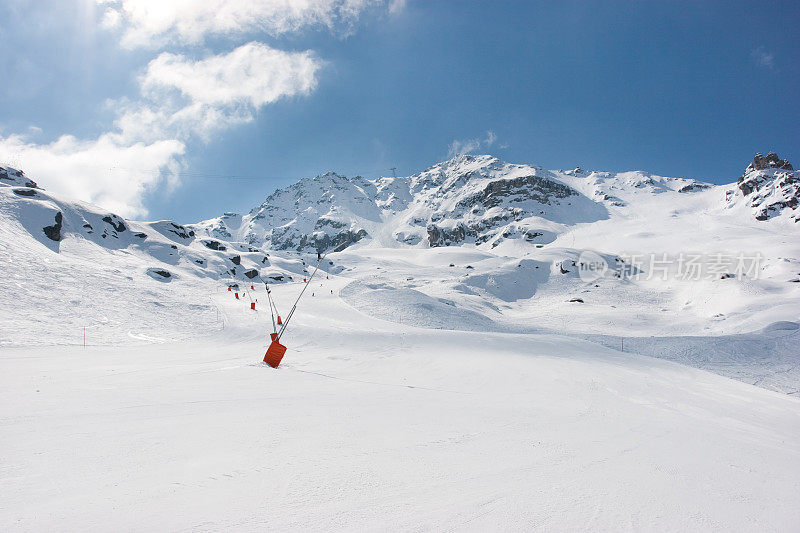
{"x":369,"y":425}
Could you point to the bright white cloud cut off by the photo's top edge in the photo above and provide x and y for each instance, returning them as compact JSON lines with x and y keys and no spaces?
{"x":155,"y":22}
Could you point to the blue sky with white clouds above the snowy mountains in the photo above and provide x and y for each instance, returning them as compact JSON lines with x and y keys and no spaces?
{"x":158,"y":104}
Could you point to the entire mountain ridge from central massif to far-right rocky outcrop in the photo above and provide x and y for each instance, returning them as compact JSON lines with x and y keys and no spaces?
{"x":483,"y":201}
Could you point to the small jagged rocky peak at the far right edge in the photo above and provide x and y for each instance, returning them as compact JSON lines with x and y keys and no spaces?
{"x":770,"y":187}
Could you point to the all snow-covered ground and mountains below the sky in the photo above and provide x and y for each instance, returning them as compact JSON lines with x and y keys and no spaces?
{"x":454,"y":364}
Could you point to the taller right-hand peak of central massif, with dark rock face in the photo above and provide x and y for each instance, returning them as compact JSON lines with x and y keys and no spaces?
{"x":483,"y":200}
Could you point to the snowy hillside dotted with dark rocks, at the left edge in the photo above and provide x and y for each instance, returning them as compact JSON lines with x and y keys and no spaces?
{"x":67,"y":265}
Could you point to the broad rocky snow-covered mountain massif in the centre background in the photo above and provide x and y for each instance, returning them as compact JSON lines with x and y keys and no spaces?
{"x":469,"y":198}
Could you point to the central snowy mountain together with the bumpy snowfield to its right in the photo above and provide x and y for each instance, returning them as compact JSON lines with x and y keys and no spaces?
{"x":681,"y":256}
